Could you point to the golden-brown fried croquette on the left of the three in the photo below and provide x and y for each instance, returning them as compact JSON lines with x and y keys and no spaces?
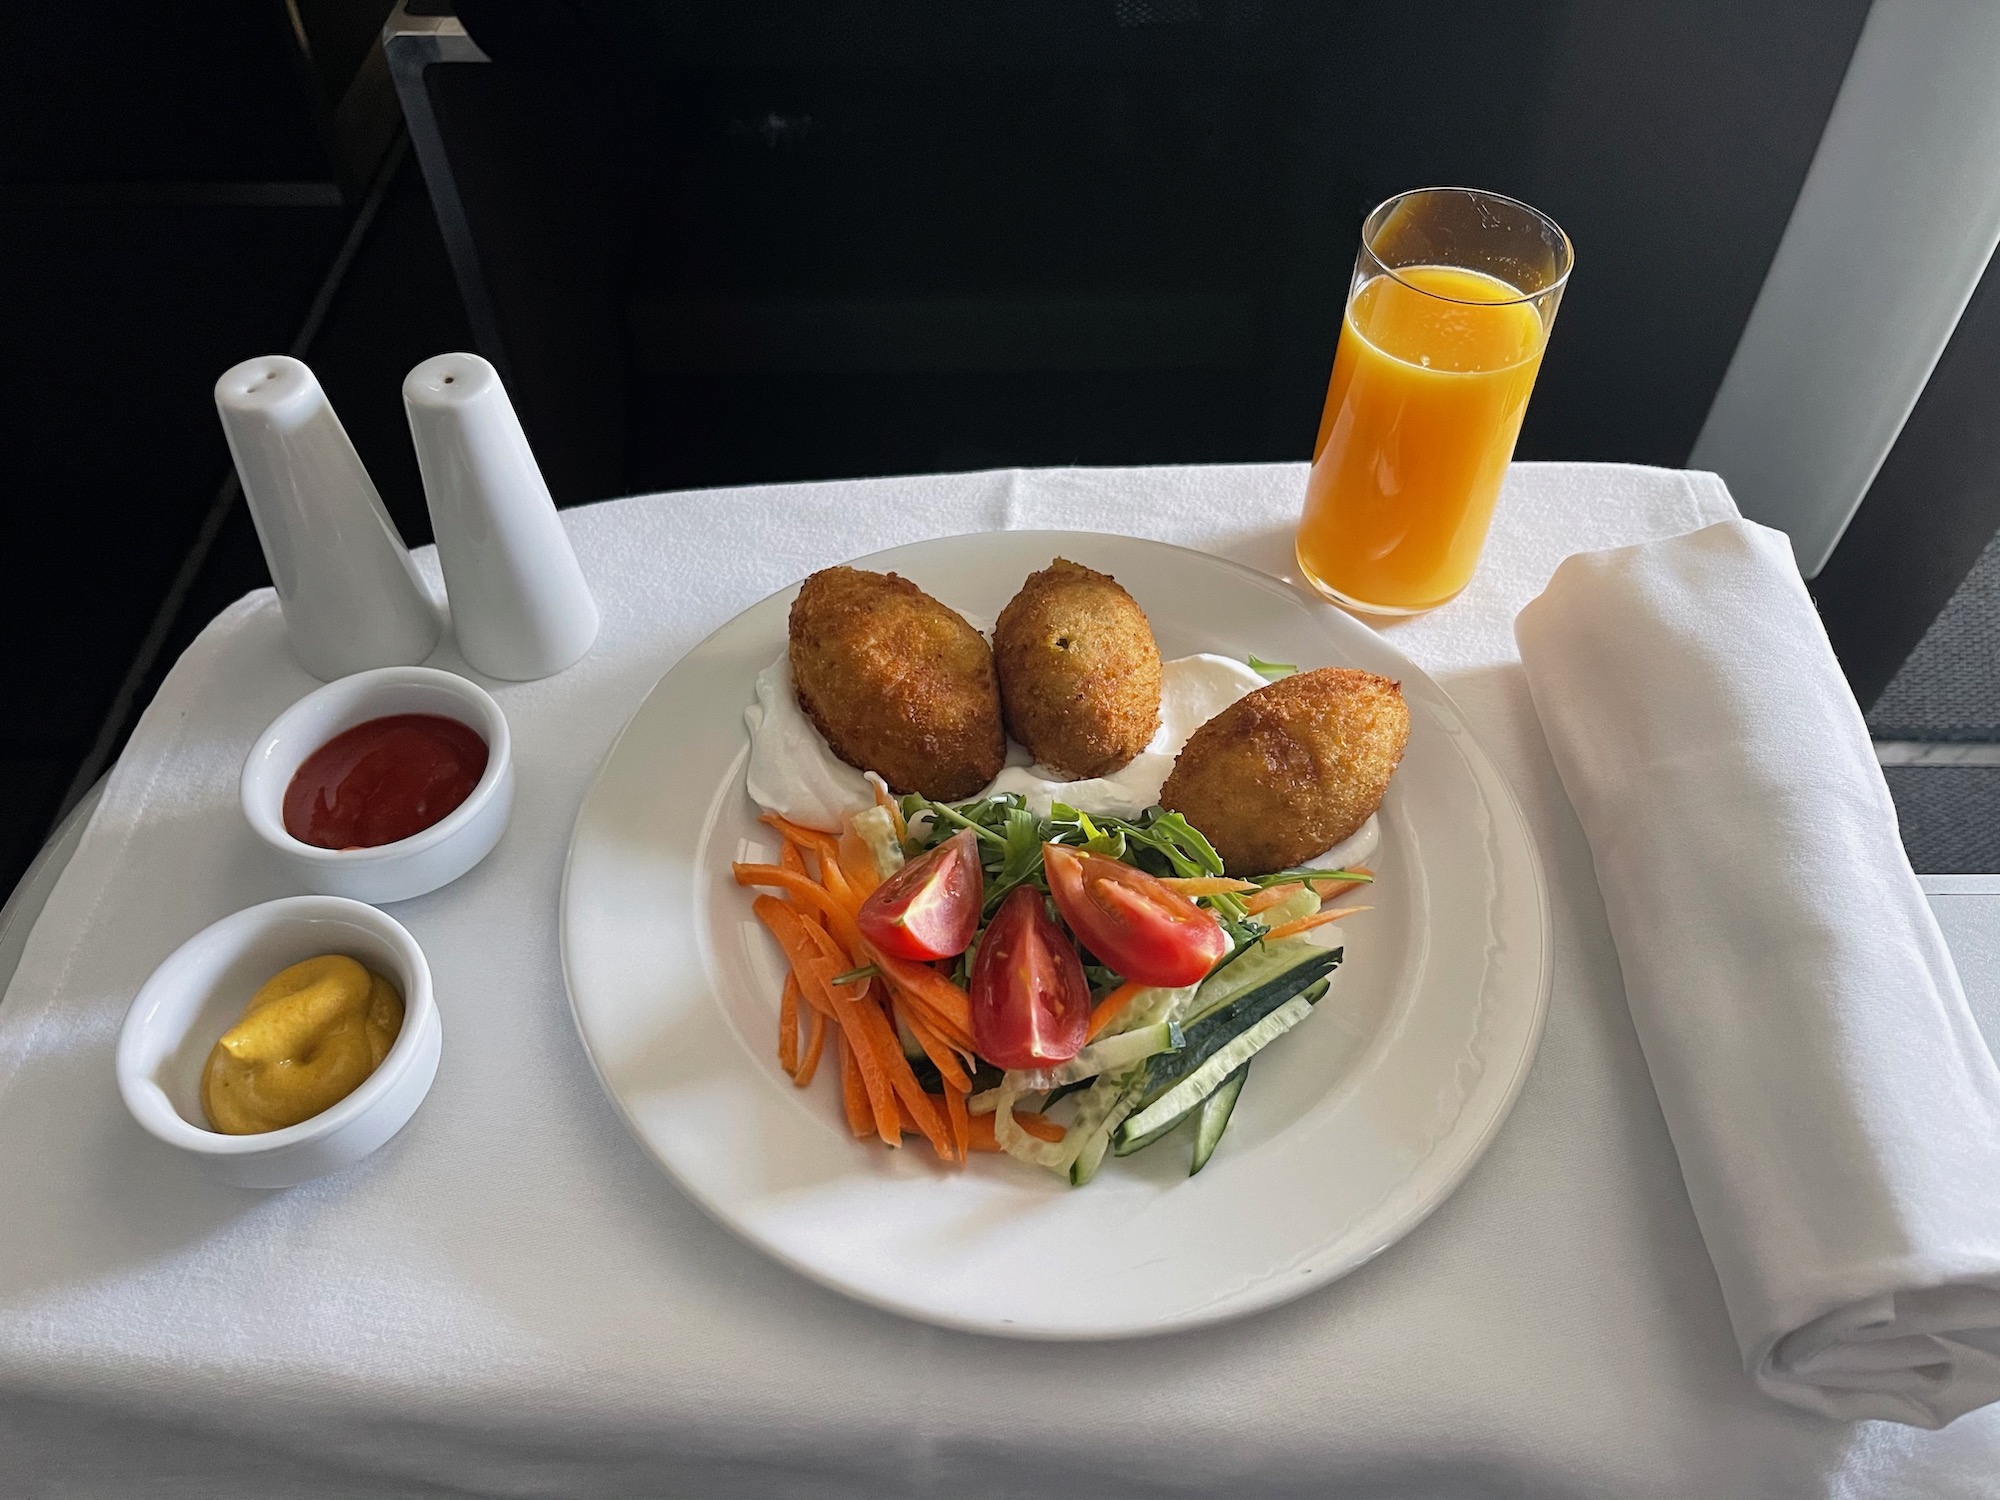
{"x":897,"y":683}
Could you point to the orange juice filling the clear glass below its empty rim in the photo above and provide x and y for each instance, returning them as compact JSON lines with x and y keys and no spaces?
{"x":1431,"y":381}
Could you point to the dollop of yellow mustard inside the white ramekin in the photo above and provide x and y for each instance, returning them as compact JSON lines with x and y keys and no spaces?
{"x":305,"y":1043}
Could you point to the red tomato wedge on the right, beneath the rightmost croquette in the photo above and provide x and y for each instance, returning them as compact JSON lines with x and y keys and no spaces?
{"x":1133,"y":923}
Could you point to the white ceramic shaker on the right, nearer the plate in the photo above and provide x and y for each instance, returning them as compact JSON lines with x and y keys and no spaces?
{"x":521,"y":605}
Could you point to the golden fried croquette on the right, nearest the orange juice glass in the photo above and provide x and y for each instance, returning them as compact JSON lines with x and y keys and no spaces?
{"x":1293,"y":769}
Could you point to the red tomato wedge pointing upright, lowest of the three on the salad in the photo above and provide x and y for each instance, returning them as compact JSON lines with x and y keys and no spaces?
{"x":1031,"y":1001}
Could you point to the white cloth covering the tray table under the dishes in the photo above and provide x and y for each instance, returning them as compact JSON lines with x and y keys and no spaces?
{"x":511,"y":1299}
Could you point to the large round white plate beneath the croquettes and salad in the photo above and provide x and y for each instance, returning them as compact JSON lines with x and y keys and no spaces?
{"x":1353,"y":1129}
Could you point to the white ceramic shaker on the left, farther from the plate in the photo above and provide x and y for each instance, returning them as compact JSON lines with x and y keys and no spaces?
{"x":345,"y":579}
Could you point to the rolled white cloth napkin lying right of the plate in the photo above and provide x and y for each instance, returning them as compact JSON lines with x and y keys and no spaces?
{"x":1833,"y":1105}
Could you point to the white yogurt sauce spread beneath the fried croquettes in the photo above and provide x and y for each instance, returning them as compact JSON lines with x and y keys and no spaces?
{"x":795,"y":775}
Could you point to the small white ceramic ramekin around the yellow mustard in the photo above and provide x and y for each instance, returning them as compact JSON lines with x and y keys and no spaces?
{"x":203,"y":989}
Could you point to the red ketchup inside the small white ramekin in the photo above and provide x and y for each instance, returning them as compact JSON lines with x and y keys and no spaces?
{"x":383,"y":781}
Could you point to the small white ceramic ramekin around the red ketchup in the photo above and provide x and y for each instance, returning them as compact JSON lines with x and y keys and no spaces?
{"x":409,"y":867}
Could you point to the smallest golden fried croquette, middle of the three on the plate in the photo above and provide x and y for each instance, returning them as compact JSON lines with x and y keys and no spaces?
{"x":1079,"y":671}
